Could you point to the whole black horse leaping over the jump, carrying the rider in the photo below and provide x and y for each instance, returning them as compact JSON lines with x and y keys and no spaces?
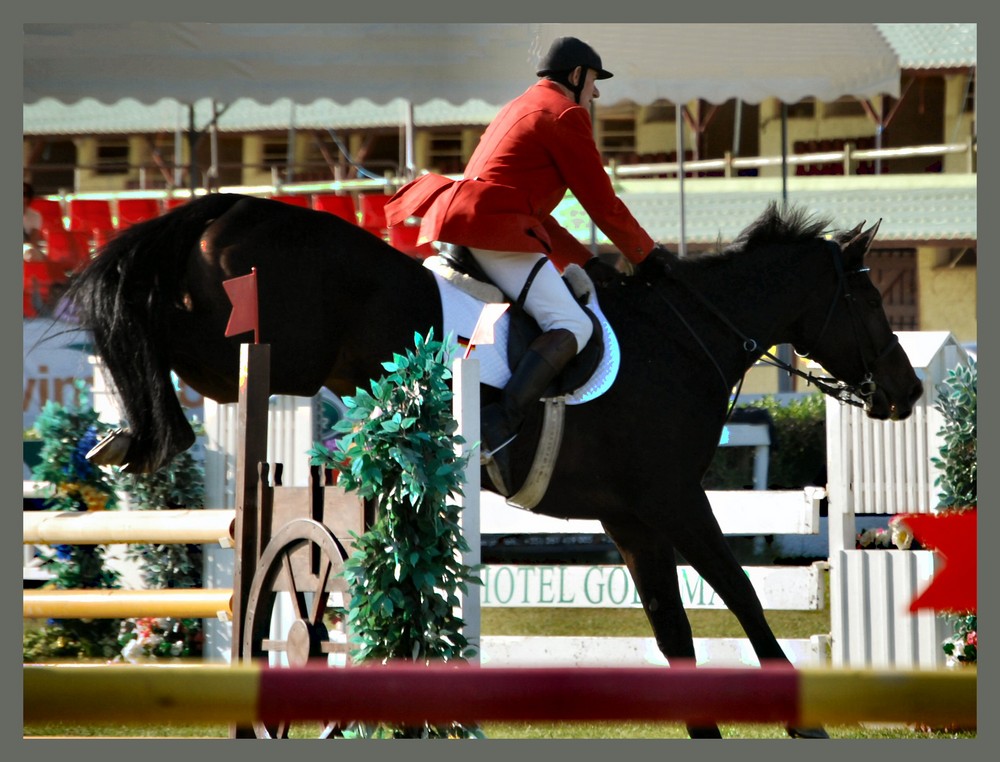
{"x":335,"y":302}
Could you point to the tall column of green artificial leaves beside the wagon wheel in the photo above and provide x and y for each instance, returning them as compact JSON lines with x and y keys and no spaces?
{"x":398,"y":447}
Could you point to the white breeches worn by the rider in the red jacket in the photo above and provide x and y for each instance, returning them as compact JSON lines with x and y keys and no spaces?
{"x":549,"y":301}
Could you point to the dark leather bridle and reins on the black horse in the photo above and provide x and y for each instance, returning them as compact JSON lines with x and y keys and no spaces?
{"x":857,"y":394}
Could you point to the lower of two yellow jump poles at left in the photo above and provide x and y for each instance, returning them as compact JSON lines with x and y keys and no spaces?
{"x":184,"y":603}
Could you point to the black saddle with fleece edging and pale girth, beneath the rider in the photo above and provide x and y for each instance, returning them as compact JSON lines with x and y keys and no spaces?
{"x":541,"y":431}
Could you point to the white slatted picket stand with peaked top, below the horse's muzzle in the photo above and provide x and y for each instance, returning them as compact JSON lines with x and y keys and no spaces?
{"x":885,"y":468}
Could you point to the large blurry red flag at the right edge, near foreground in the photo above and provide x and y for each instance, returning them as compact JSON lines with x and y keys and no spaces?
{"x":953,"y":536}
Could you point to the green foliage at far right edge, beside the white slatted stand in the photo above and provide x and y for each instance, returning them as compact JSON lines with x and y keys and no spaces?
{"x":956,"y":401}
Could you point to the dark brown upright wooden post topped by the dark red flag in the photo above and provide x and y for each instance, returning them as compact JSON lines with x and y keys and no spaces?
{"x":251,"y":449}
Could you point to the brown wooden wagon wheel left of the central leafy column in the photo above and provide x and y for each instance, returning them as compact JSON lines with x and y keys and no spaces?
{"x":300,"y":562}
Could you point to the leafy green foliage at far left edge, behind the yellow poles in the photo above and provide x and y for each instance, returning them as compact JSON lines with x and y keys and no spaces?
{"x":68,"y":432}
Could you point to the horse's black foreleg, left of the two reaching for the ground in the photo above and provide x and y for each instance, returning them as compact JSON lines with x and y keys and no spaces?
{"x":651,"y":562}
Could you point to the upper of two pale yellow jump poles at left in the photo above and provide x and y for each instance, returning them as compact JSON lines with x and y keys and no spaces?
{"x":106,"y":527}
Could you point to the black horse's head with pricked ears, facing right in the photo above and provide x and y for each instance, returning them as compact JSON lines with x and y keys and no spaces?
{"x":850,"y":335}
